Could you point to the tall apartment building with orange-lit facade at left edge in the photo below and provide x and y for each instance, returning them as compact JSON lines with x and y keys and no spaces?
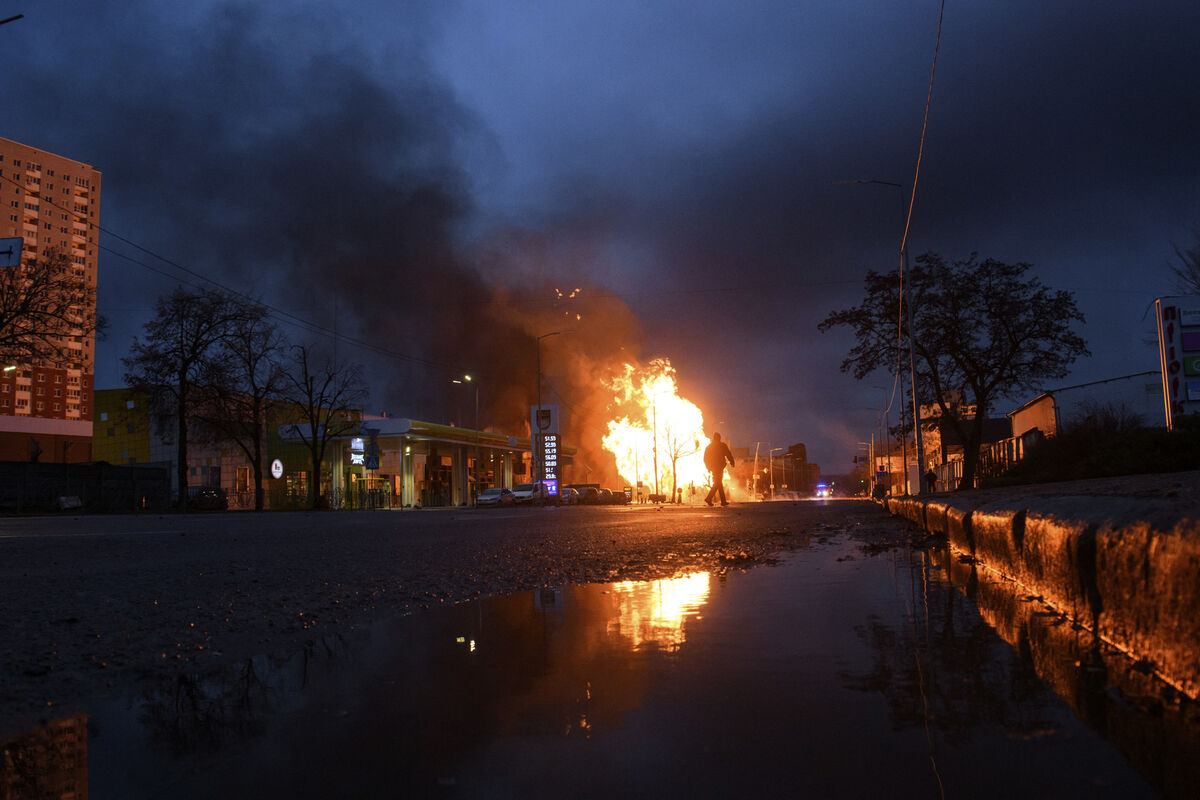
{"x":50,"y":201}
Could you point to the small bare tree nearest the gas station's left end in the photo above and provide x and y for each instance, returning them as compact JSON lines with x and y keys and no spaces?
{"x":325,"y":402}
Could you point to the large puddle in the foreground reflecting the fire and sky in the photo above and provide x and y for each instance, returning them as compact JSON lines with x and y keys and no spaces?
{"x":832,"y":675}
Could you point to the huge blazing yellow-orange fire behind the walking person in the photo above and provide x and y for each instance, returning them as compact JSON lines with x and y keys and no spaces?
{"x":658,"y":437}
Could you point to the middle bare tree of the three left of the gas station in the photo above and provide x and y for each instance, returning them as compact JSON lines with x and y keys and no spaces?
{"x":243,"y":387}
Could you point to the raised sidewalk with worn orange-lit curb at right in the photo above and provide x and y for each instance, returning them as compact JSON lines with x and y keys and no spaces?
{"x":1119,"y":557}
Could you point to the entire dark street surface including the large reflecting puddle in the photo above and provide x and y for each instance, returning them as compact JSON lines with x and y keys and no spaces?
{"x":769,"y":649}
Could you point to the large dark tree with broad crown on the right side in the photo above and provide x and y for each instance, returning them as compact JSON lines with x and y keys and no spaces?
{"x":985,"y":332}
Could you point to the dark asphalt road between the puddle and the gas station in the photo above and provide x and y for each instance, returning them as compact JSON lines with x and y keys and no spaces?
{"x":93,"y":605}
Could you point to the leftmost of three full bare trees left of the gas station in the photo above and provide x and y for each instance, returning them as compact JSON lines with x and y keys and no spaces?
{"x":177,"y":358}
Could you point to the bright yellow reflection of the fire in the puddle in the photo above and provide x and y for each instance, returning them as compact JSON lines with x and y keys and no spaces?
{"x":653,"y":612}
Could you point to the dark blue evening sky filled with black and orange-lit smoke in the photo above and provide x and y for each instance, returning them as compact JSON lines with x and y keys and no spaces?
{"x":421,"y":177}
